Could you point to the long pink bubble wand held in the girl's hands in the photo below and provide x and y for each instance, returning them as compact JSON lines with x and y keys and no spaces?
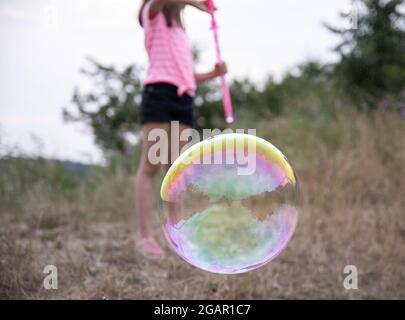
{"x":224,"y":86}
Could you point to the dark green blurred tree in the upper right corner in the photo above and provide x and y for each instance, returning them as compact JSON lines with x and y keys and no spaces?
{"x":372,"y":65}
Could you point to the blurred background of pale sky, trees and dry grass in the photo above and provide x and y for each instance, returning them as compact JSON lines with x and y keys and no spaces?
{"x":323,"y":81}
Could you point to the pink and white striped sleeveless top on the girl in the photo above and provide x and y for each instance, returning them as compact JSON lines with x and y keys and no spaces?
{"x":170,"y":54}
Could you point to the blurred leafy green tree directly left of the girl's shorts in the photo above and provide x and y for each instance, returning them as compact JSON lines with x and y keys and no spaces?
{"x":111,"y":108}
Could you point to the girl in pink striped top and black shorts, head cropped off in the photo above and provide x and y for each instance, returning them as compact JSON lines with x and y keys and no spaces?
{"x":168,"y":96}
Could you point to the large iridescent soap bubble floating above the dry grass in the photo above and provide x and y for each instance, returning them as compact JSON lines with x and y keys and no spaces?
{"x":230,"y":203}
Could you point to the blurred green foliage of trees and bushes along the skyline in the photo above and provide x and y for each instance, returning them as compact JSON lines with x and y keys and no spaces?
{"x":371,"y":70}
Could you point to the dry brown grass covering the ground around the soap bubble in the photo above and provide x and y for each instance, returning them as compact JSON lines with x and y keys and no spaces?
{"x":352,"y":212}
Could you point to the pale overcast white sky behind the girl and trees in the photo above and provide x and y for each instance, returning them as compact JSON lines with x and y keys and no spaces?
{"x":45,"y":43}
